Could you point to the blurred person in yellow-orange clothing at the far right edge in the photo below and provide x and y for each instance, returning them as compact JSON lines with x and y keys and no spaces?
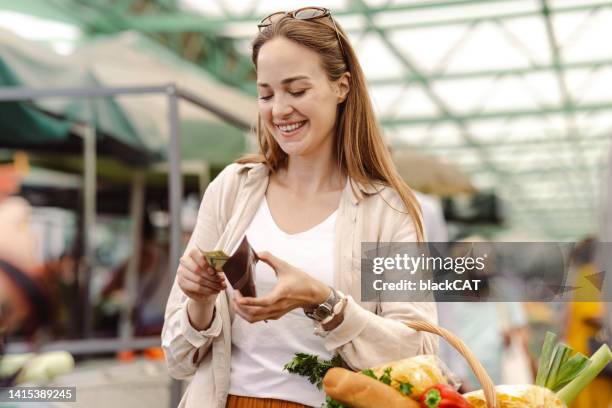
{"x":584,"y":322}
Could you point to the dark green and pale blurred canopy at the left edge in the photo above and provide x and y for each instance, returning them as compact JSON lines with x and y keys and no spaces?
{"x":27,"y":64}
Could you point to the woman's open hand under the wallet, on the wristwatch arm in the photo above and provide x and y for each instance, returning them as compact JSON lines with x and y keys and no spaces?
{"x":295,"y":288}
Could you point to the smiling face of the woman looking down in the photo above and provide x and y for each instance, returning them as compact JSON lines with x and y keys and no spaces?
{"x":297,"y":102}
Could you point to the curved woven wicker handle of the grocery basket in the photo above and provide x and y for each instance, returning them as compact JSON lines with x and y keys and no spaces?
{"x":485,"y":381}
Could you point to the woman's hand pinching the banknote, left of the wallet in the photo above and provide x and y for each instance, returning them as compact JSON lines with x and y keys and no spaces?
{"x":197,"y":279}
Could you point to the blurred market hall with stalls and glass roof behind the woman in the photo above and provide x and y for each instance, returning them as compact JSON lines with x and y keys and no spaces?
{"x":499,"y":112}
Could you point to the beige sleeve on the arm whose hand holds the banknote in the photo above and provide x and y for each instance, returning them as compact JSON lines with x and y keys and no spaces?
{"x":184,"y":346}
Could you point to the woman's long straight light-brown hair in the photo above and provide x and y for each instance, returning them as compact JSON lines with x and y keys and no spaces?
{"x":359,"y":147}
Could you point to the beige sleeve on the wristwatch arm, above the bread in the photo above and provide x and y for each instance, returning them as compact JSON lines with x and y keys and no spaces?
{"x":365,"y":339}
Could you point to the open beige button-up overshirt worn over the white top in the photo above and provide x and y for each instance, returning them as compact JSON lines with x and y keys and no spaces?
{"x":371,"y":333}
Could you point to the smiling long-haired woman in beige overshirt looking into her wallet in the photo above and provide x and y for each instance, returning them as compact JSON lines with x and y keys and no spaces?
{"x":322,"y":184}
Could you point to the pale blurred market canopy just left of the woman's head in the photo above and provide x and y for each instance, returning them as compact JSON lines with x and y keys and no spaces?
{"x":145,"y":62}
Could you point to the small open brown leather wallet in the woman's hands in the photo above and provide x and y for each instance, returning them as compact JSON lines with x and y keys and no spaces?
{"x":240,"y":269}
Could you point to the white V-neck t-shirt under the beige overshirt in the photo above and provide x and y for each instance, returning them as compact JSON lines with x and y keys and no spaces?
{"x":260,"y":350}
